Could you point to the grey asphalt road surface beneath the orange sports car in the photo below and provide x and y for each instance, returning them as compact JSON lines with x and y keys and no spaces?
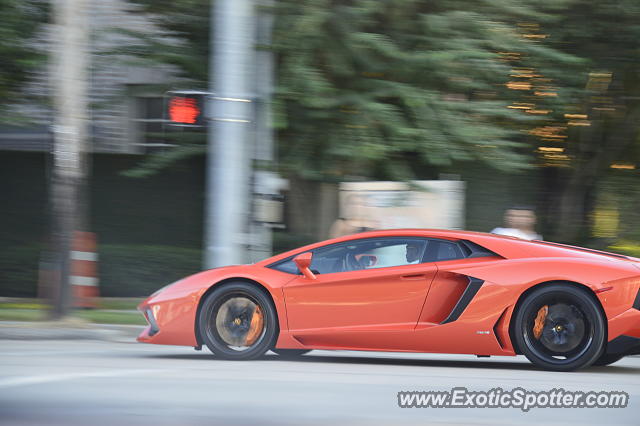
{"x":104,"y":383}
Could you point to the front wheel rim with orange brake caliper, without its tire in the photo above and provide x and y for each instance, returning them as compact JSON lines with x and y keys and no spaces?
{"x":230,"y":322}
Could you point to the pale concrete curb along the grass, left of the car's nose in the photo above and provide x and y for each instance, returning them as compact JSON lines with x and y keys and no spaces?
{"x":68,"y":330}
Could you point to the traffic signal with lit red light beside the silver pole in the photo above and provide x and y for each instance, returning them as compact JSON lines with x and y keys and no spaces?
{"x":186,"y":108}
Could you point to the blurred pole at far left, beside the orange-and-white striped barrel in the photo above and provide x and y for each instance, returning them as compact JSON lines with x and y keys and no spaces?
{"x":70,"y":134}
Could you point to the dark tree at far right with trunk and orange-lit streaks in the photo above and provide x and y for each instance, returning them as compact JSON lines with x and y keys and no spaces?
{"x":596,"y":120}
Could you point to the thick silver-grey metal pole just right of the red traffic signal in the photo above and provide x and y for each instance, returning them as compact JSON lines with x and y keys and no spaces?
{"x":228,"y":159}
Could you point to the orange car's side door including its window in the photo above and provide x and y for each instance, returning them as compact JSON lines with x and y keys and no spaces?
{"x":381,"y":290}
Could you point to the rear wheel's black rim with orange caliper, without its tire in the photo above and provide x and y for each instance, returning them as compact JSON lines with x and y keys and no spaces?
{"x":557,"y":329}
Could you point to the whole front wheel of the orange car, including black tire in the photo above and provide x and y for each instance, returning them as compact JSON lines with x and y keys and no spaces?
{"x":230,"y":316}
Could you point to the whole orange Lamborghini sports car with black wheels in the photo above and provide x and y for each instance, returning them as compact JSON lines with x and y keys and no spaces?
{"x":412,"y":290}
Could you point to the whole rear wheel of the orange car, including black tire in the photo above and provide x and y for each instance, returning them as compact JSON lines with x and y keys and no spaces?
{"x":560,"y":327}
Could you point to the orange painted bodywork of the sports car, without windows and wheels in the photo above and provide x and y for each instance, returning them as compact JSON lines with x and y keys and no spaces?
{"x":404,"y":308}
